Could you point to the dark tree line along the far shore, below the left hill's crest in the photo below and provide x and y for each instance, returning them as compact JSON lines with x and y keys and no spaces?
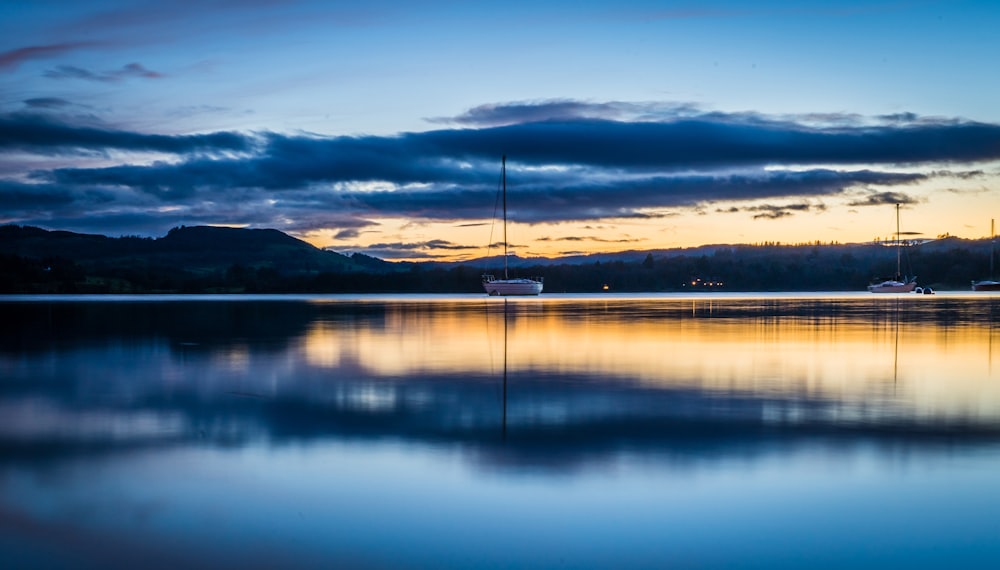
{"x":944,"y":266}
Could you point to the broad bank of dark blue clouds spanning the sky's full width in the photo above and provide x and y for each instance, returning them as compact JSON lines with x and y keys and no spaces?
{"x":574,"y":165}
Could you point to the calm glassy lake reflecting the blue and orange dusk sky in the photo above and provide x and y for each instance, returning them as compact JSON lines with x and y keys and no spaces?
{"x":716,"y":431}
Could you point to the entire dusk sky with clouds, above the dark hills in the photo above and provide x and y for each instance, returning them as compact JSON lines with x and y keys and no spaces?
{"x":378,"y":127}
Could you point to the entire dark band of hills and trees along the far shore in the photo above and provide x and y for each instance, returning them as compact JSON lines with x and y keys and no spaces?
{"x":214,"y":259}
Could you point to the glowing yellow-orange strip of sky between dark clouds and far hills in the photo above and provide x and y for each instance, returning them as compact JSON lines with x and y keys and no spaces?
{"x":946,"y":206}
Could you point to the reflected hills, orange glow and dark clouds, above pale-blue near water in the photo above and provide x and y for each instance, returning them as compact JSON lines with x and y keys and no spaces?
{"x":585,"y":376}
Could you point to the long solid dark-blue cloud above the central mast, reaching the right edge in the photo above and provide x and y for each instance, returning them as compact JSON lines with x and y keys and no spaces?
{"x":713,"y":143}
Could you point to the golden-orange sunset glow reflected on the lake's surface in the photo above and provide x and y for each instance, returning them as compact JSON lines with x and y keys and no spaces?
{"x":937,"y":370}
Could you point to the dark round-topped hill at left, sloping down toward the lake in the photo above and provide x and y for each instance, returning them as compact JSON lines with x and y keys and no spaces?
{"x":199,"y":258}
